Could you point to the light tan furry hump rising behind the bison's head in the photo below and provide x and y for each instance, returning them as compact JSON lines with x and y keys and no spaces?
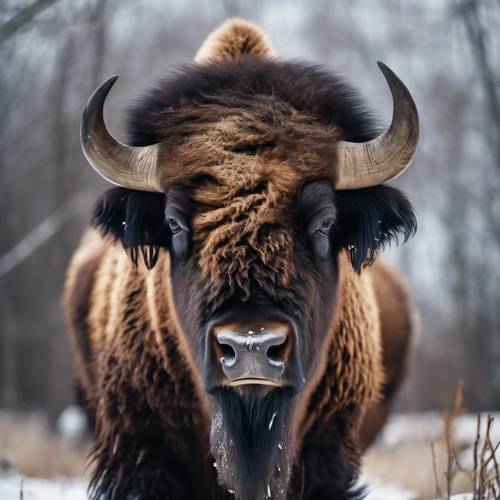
{"x":232,"y":40}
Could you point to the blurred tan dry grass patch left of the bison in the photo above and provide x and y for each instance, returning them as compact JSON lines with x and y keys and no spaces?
{"x":27,"y":446}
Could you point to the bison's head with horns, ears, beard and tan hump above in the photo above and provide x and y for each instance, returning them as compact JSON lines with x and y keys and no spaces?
{"x":256,"y":177}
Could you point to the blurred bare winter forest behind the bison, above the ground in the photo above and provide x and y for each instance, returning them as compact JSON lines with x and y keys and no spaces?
{"x":53,"y":54}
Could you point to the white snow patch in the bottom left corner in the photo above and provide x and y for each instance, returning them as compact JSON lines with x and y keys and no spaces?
{"x":41,"y":489}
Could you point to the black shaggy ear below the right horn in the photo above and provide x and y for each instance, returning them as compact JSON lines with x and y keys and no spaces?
{"x":368,"y":219}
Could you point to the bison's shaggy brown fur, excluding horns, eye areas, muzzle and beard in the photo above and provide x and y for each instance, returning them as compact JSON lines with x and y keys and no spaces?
{"x":244,"y":162}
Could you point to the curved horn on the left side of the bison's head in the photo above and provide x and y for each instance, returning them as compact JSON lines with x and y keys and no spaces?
{"x":126,"y":166}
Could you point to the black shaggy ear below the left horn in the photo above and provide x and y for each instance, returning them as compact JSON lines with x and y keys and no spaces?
{"x":136,"y":218}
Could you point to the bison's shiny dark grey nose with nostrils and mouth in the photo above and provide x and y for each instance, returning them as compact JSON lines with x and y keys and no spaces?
{"x":253,"y":356}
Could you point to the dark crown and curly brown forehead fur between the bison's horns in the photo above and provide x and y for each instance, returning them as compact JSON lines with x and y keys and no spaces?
{"x":244,"y":136}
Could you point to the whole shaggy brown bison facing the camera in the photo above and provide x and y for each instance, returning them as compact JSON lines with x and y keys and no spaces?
{"x":232,"y":339}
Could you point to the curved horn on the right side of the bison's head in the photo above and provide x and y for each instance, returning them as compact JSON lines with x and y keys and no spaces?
{"x":364,"y":164}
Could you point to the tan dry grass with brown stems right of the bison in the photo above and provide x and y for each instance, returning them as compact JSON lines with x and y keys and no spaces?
{"x":433,"y":470}
